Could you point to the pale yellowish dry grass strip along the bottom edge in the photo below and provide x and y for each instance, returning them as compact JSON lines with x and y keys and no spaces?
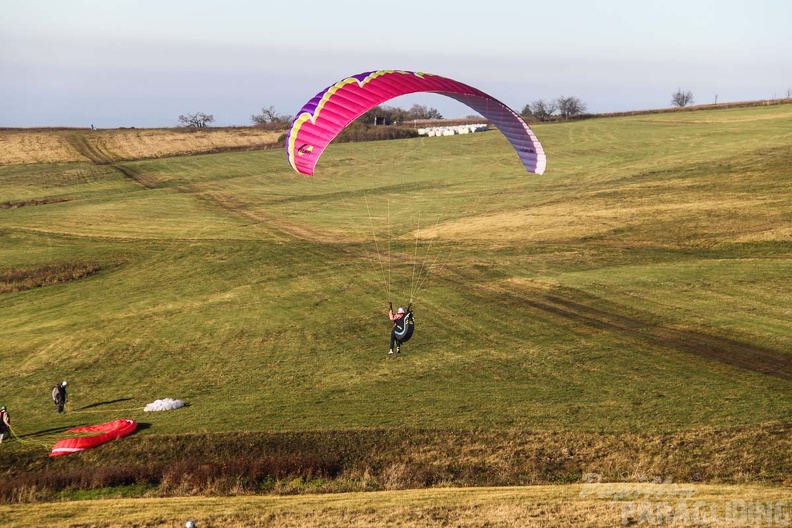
{"x":535,"y":506}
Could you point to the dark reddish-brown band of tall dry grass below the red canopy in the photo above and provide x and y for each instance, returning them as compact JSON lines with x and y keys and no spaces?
{"x":384,"y":460}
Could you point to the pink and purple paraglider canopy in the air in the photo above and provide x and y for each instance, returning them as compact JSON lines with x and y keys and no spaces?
{"x":332,"y":109}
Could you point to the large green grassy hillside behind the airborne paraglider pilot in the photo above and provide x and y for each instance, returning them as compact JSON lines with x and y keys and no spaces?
{"x":639,"y":287}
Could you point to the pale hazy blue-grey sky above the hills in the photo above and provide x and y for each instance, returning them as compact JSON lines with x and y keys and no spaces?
{"x":143,"y":63}
